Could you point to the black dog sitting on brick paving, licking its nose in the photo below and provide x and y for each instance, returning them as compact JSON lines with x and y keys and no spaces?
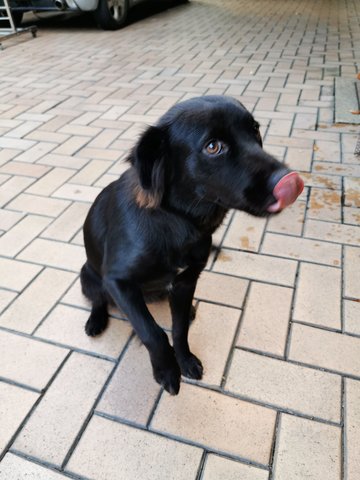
{"x":150,"y":231}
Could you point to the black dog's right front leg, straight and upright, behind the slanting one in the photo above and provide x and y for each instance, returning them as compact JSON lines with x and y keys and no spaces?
{"x":181,"y":297}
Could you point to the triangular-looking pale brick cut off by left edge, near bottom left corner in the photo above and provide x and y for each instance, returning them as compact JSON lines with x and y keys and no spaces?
{"x":14,"y":406}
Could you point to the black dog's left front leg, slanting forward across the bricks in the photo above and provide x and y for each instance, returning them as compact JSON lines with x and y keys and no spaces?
{"x":129,"y":298}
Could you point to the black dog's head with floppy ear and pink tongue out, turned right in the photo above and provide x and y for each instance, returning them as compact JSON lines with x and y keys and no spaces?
{"x":209,"y":149}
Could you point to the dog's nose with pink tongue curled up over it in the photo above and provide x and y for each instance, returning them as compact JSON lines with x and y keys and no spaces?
{"x":286,"y":186}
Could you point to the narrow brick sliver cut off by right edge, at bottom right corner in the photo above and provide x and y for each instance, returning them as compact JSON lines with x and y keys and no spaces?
{"x":352,"y":428}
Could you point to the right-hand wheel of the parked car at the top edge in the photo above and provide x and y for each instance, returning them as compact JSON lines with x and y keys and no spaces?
{"x":111,"y":14}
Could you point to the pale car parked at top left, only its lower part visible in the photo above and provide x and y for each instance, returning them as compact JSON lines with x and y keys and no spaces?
{"x":109,"y":14}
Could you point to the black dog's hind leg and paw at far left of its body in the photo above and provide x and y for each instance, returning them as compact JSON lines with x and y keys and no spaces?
{"x":91,"y":285}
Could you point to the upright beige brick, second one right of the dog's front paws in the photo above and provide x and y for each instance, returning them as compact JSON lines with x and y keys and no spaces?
{"x":264,"y":325}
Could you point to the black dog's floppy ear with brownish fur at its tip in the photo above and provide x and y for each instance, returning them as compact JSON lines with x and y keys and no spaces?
{"x":149,"y":161}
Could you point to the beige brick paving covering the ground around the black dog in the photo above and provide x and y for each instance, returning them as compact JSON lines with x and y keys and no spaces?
{"x":278,"y":323}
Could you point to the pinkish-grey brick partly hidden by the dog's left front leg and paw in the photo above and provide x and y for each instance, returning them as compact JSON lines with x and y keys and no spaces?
{"x":132,"y":391}
